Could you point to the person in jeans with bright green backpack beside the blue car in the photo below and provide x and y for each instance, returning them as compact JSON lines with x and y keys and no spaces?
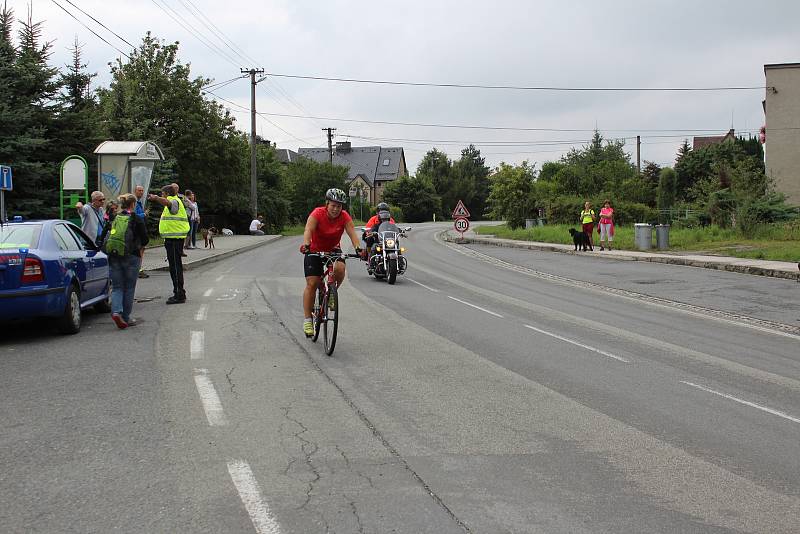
{"x":122,"y":239}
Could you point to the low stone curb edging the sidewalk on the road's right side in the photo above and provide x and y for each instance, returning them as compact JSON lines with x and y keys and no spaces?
{"x":667,"y":259}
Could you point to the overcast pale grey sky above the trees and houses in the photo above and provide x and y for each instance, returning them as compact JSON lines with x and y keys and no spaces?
{"x":559,"y":43}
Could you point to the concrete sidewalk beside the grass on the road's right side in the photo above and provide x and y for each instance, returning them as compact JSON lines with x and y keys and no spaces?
{"x":777,"y":269}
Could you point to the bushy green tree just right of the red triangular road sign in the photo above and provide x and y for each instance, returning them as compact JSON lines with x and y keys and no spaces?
{"x":511,"y":198}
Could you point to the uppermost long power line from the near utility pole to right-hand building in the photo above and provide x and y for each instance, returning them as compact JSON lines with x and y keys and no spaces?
{"x":513,"y":87}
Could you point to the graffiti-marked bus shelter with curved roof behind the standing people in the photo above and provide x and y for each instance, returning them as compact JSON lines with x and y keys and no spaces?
{"x":122,"y":165}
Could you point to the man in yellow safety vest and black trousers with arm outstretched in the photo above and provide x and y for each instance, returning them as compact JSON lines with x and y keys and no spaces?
{"x":173,"y":227}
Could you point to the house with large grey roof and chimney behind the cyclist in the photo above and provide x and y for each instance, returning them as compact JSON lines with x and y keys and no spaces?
{"x":370,"y":167}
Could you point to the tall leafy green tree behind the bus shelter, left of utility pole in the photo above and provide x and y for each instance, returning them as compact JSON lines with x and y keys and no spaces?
{"x":152,"y":96}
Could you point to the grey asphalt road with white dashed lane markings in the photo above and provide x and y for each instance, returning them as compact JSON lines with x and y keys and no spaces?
{"x":489,"y":390}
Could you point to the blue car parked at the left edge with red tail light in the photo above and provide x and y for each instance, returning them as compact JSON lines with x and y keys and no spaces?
{"x":50,"y":268}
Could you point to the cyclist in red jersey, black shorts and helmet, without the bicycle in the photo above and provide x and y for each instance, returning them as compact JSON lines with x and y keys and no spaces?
{"x":323,"y":233}
